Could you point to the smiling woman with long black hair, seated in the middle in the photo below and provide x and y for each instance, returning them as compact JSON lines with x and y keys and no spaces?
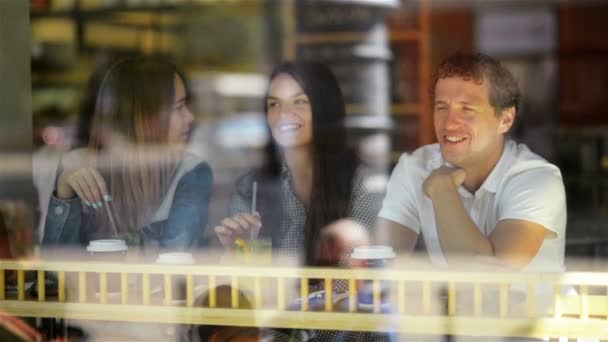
{"x":310,"y":177}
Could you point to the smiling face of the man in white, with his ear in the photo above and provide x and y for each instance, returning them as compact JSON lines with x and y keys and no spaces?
{"x":468,"y":130}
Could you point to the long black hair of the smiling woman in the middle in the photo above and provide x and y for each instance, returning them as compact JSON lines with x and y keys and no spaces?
{"x":334,"y":163}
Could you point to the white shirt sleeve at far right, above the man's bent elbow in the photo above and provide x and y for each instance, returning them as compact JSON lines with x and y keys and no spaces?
{"x":537,"y":196}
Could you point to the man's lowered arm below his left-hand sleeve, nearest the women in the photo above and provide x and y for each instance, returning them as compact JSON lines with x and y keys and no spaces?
{"x":396,"y":235}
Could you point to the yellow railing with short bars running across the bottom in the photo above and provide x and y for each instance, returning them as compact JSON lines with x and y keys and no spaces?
{"x":421,"y":302}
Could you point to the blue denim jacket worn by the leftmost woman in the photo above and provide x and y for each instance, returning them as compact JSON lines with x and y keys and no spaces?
{"x":180,"y":227}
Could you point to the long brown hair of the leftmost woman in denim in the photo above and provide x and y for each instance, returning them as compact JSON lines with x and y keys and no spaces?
{"x":135,"y":100}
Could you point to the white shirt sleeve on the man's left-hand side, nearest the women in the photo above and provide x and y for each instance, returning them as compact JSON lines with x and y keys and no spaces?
{"x":399,"y":204}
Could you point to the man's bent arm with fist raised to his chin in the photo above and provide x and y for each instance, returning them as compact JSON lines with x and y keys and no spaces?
{"x":513,"y":242}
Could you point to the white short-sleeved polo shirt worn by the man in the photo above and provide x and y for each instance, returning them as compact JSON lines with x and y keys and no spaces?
{"x":521,"y":186}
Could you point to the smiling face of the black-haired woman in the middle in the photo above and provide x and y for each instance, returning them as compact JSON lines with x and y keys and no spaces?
{"x":289,"y":112}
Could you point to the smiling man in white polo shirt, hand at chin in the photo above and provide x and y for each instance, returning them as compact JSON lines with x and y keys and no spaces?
{"x":476,"y":193}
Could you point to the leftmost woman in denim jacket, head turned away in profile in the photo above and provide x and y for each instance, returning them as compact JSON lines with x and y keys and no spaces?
{"x":136,"y":164}
